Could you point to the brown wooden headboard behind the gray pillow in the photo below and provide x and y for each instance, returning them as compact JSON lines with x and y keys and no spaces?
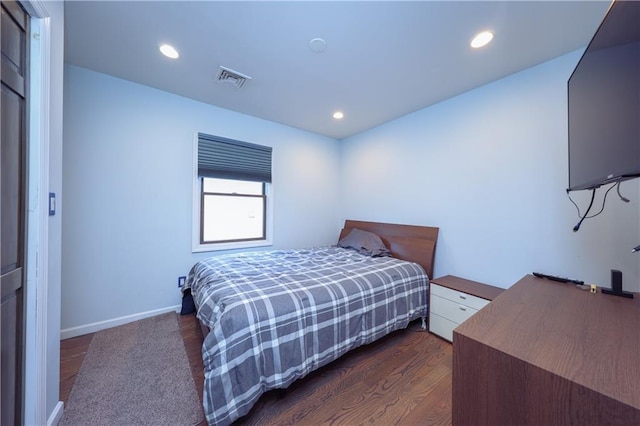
{"x":407,"y":242}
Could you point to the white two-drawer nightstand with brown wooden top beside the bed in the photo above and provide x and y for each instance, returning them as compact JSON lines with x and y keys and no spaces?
{"x":453,"y":300}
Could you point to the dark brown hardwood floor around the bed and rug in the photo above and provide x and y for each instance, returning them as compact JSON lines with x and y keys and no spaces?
{"x":404,"y":378}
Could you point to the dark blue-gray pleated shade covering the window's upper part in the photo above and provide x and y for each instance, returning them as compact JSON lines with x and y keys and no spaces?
{"x":224,"y":158}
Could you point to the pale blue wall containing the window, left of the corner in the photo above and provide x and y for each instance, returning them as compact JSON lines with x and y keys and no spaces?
{"x":128,"y":154}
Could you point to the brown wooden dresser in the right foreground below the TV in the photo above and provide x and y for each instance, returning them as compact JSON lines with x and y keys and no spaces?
{"x":547,"y":353}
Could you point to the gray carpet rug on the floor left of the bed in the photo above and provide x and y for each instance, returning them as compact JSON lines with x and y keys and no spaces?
{"x":135,"y":374}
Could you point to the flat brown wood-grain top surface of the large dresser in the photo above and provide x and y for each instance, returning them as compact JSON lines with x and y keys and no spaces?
{"x":591,"y":339}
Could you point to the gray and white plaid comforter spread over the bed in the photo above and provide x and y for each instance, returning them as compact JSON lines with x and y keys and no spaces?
{"x":276,"y":316}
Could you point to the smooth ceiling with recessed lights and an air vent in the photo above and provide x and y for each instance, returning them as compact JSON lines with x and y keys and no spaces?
{"x":383,"y":59}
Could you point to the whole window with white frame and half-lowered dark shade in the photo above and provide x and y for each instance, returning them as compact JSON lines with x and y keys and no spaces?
{"x":232,"y":202}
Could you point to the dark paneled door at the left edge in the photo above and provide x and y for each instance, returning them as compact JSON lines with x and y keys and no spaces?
{"x":13,"y":109}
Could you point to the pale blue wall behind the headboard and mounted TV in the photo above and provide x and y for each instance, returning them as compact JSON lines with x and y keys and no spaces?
{"x":489,"y":167}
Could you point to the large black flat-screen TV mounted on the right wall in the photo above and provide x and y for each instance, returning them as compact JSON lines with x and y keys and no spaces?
{"x":604,"y":103}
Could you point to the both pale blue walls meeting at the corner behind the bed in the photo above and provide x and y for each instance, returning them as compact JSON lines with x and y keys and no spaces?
{"x":488,"y":167}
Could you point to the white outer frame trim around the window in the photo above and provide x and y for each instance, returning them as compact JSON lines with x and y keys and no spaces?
{"x":197,"y":208}
